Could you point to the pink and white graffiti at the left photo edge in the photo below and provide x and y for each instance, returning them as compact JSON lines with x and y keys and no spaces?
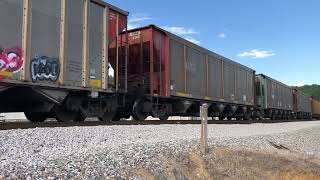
{"x":11,"y":61}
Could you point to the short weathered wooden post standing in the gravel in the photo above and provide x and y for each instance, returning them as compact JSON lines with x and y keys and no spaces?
{"x":204,"y":128}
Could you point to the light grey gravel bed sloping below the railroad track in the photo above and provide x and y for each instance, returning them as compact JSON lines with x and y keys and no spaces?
{"x":114,"y":151}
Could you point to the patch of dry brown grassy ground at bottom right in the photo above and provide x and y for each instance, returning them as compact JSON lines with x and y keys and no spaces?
{"x":229,"y":164}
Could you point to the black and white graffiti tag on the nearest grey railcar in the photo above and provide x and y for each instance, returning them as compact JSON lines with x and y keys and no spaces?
{"x":44,"y":68}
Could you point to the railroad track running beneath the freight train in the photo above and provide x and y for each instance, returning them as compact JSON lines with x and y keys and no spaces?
{"x":28,"y":125}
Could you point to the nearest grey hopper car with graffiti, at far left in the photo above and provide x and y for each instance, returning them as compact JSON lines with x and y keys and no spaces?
{"x":56,"y":58}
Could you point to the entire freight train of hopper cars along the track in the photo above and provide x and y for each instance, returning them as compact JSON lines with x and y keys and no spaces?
{"x":74,"y":59}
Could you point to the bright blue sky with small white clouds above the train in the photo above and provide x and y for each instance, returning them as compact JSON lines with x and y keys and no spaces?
{"x":279,"y":38}
